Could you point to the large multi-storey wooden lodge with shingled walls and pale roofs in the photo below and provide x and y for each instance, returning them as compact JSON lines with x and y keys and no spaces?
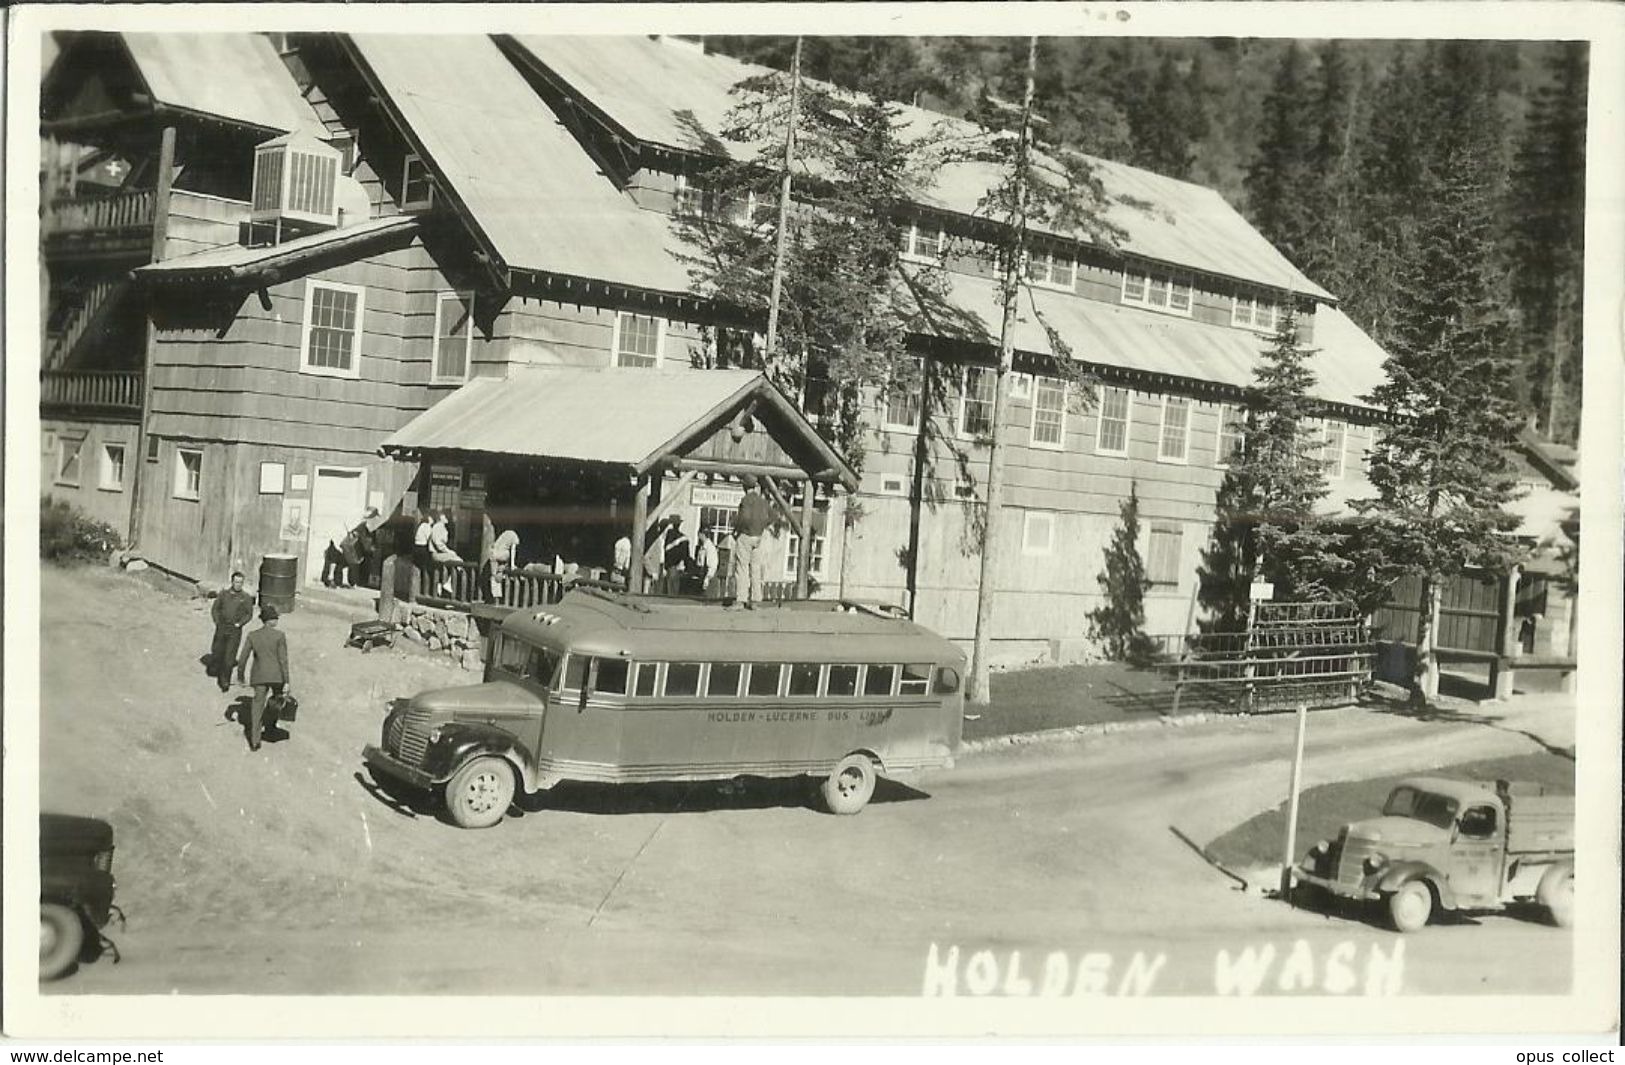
{"x":274,"y":259}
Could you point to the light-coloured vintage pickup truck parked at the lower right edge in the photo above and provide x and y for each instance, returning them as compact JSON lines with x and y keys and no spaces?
{"x":1454,"y":846}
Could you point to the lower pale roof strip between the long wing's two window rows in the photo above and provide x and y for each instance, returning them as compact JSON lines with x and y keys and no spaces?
{"x":1348,"y":363}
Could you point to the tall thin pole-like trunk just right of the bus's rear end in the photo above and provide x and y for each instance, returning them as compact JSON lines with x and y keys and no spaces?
{"x":981,"y":677}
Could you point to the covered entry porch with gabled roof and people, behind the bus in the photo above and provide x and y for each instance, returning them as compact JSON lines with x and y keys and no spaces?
{"x":576,"y":459}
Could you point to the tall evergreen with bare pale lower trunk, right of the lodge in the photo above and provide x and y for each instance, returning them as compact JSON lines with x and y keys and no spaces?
{"x":1444,"y":472}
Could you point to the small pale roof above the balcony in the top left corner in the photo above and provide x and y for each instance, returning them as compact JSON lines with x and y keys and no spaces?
{"x":230,"y":76}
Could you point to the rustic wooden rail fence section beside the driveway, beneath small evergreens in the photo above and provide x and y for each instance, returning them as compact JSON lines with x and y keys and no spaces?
{"x":1312,"y":654}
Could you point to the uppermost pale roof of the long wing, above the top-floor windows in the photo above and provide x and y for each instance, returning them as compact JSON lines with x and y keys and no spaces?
{"x":654,"y":92}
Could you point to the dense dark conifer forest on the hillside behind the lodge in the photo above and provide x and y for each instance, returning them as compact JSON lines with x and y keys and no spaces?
{"x":1328,"y":147}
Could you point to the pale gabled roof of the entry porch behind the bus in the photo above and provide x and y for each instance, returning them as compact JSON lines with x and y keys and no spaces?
{"x":613,"y":415}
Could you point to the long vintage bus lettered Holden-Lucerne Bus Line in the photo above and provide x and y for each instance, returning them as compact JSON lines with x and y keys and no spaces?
{"x":626,"y":689}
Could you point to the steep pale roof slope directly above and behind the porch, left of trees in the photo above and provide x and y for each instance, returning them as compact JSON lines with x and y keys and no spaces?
{"x":532,"y":191}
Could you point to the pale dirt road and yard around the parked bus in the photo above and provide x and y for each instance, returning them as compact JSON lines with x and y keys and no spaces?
{"x":282,"y":872}
